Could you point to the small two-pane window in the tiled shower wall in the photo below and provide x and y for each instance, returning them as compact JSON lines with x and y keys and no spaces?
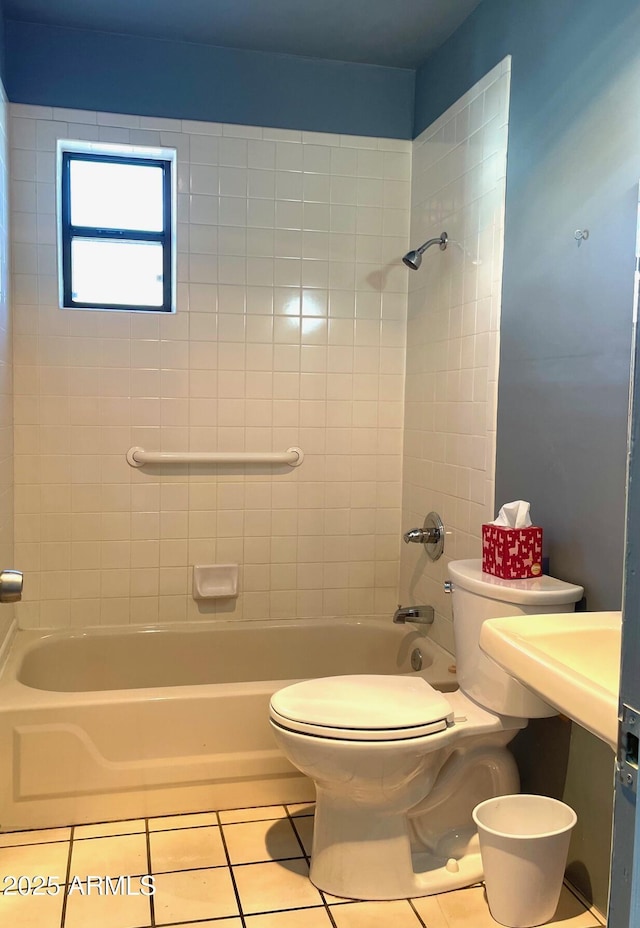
{"x":116,"y":227}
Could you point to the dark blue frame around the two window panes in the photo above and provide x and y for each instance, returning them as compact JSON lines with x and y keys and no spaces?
{"x":69,"y":231}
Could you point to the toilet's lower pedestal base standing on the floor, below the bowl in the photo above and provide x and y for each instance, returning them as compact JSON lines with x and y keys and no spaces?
{"x":365,"y":850}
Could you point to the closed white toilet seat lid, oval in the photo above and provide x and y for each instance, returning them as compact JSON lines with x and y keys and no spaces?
{"x":362,"y":707}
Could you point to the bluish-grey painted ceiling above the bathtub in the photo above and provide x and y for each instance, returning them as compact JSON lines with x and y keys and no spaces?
{"x":394,"y":33}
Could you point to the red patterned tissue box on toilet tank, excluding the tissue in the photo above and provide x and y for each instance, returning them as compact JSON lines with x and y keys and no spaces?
{"x":512,"y":553}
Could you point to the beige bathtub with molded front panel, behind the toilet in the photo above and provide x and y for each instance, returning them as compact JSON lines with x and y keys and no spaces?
{"x":123,"y":723}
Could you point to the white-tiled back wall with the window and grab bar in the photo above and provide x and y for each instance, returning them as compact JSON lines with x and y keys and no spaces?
{"x":290,"y":331}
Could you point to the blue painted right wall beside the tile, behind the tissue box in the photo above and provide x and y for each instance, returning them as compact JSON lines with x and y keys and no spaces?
{"x":573,"y":162}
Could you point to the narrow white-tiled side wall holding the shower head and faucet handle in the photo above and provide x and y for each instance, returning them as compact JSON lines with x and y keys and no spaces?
{"x":458,"y":186}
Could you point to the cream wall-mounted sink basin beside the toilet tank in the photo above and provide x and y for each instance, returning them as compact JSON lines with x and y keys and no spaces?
{"x":571,"y":660}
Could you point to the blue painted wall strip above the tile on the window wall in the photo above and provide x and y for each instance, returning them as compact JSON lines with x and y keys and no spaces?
{"x":150,"y":77}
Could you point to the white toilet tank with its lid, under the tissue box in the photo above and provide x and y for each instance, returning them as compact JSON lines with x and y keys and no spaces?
{"x":476,"y":597}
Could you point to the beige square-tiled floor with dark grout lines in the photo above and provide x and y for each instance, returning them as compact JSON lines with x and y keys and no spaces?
{"x":245,"y":868}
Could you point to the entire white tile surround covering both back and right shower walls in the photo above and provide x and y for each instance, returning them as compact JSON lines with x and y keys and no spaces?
{"x":290,"y":330}
